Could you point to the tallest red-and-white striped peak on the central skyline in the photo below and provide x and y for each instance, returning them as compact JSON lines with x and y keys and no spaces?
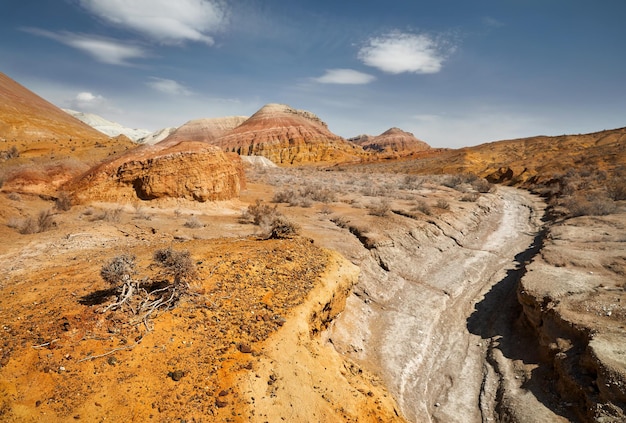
{"x":288,"y":136}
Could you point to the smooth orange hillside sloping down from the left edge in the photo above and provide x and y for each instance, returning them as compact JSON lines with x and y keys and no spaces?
{"x":41,"y":146}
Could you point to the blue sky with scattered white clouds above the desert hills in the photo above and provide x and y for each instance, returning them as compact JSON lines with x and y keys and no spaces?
{"x":453,"y":72}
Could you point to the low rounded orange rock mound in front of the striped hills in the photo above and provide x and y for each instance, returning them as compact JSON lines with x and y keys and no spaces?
{"x":190,"y":170}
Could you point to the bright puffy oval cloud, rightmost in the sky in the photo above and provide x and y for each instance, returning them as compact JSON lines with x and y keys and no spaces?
{"x":398,"y":52}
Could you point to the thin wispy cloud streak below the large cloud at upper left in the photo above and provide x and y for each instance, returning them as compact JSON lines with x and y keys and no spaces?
{"x":105,"y":50}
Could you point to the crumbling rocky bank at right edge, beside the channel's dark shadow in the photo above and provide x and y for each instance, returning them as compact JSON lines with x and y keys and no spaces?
{"x":572,"y":296}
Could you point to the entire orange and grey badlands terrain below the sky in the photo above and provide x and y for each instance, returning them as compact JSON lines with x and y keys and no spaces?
{"x":391,"y":283}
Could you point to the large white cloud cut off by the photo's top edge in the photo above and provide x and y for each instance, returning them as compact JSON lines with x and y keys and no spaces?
{"x":166,"y":21}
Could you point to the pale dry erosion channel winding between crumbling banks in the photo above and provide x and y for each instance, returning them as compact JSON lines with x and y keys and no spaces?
{"x":435,"y":310}
